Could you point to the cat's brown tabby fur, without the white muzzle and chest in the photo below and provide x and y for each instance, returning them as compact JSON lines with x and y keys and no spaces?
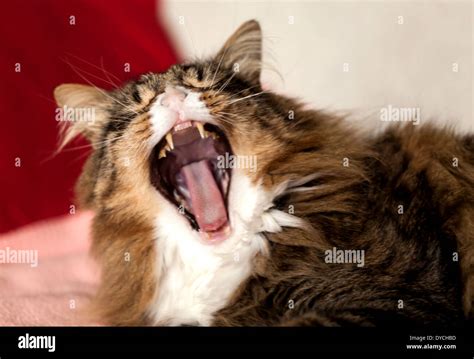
{"x":345,"y":186}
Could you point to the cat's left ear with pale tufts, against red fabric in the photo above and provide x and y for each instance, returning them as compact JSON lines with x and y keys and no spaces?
{"x":80,"y":112}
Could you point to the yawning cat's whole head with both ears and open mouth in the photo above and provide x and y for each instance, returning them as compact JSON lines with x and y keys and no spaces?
{"x":198,"y":142}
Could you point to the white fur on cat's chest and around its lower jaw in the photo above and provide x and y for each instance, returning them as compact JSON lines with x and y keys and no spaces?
{"x":196,"y":279}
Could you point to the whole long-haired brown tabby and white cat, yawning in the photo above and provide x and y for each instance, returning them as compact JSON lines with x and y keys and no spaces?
{"x":331,"y":226}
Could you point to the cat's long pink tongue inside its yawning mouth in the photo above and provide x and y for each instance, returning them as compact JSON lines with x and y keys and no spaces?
{"x":206,"y":199}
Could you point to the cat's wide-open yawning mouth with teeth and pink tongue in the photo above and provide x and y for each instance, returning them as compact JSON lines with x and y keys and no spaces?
{"x":185,"y":169}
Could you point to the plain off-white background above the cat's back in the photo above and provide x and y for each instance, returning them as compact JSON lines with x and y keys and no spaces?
{"x":404,"y":65}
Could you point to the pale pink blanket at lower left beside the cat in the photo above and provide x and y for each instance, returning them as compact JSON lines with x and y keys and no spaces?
{"x":54,"y":287}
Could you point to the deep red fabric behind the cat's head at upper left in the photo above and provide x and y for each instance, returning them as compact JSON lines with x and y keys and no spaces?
{"x":38,"y":35}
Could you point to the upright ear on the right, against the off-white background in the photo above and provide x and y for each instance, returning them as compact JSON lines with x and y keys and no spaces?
{"x":243,"y":51}
